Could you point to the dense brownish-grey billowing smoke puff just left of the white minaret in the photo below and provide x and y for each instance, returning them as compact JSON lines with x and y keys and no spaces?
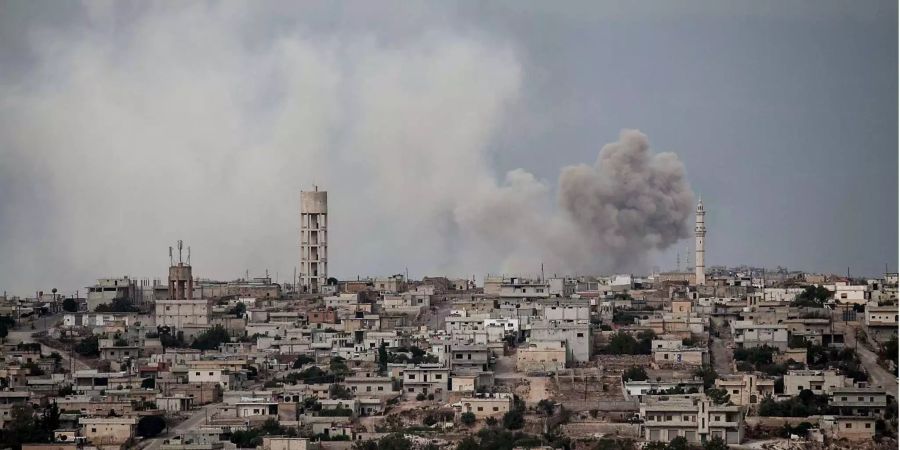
{"x":630,"y":202}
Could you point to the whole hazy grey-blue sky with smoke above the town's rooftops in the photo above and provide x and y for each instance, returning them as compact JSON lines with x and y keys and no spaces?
{"x":441,"y":133}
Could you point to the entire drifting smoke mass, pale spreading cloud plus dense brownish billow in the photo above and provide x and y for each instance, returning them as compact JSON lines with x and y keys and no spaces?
{"x":194,"y":122}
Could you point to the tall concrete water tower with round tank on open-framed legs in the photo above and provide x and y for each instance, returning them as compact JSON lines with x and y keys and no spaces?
{"x":313,"y":240}
